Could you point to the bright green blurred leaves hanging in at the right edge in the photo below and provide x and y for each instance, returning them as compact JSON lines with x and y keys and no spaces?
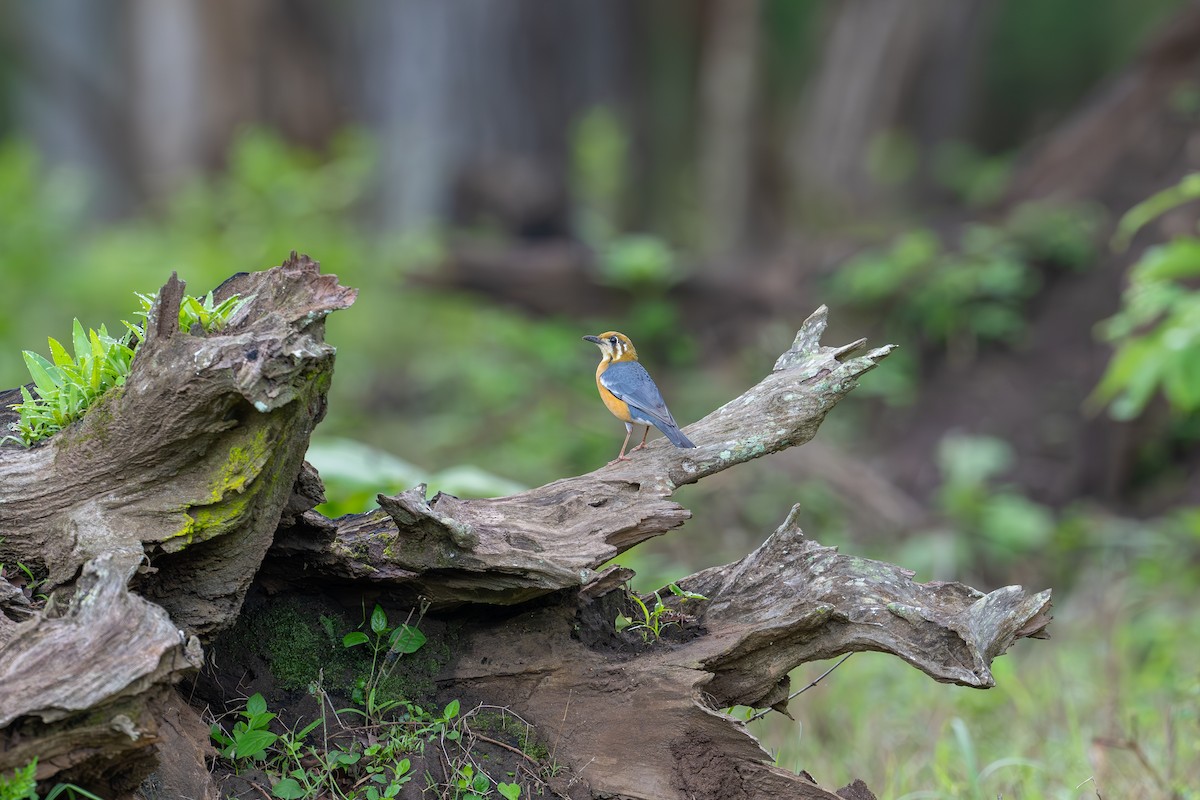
{"x":1157,"y":329}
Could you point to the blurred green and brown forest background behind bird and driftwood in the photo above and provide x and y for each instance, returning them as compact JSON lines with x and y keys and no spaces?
{"x":502,"y":178}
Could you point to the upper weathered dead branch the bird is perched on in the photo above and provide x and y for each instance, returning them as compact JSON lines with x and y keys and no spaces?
{"x":512,"y":550}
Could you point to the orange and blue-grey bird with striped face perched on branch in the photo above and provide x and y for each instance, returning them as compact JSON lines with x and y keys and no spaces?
{"x":631,"y":394}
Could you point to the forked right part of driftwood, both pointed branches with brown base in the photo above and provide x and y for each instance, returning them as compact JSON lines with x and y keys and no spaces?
{"x":567,"y":670}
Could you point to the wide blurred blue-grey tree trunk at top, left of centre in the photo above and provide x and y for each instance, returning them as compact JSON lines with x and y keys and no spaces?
{"x":476,"y":101}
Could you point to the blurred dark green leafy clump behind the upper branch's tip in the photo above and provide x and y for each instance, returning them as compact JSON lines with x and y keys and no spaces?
{"x":976,"y":291}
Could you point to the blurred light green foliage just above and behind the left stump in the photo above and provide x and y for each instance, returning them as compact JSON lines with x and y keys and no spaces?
{"x":273,"y":199}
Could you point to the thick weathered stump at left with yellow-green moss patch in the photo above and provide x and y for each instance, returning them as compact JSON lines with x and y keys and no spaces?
{"x":151,"y":516}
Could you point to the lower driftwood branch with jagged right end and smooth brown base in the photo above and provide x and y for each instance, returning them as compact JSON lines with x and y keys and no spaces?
{"x":646,"y":723}
